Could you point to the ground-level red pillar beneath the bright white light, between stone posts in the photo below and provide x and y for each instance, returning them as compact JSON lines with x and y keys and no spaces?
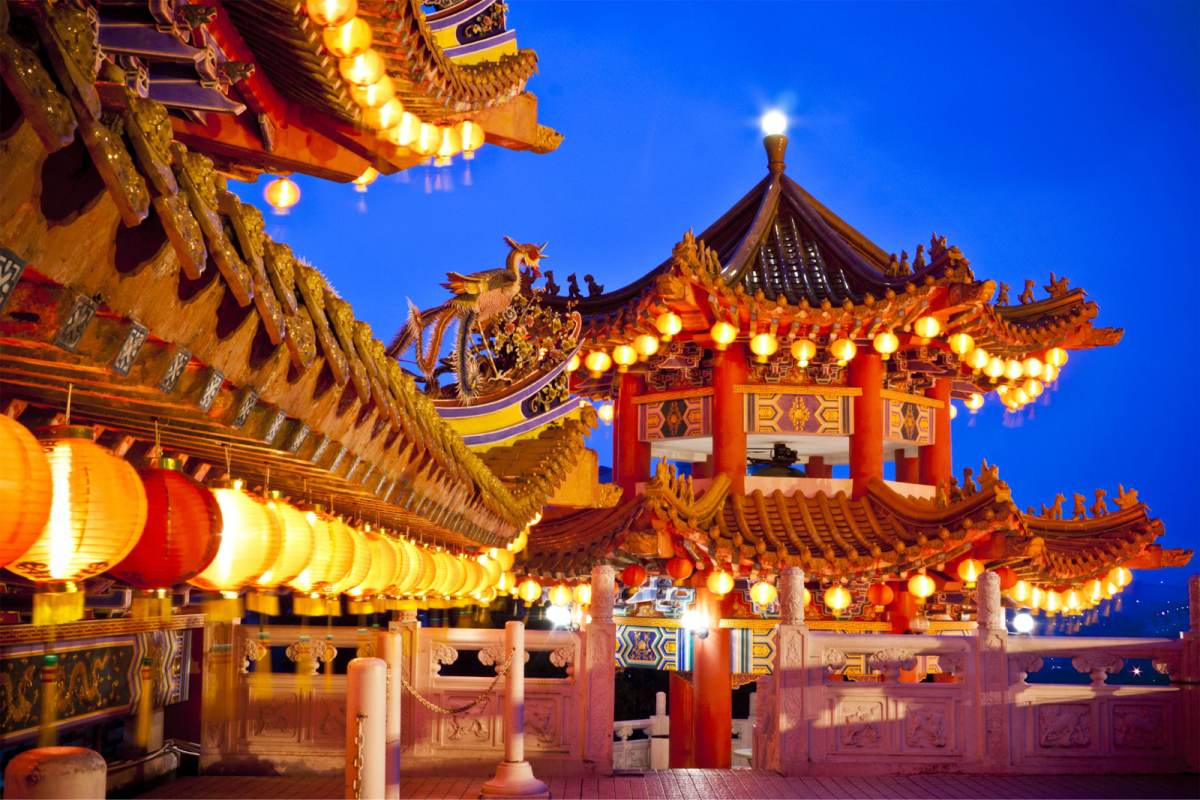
{"x":713,"y":685}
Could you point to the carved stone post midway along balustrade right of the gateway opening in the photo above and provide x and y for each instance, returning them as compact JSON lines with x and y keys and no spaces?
{"x":993,"y":673}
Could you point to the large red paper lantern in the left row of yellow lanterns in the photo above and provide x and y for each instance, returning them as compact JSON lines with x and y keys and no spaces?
{"x":183,"y":531}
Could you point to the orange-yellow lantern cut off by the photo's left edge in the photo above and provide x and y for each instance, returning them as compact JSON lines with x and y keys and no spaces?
{"x":26,"y":490}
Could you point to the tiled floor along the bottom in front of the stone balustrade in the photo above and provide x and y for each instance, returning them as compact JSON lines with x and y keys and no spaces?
{"x":717,"y":785}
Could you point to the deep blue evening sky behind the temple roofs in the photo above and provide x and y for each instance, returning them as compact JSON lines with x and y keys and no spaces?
{"x":1034,"y":136}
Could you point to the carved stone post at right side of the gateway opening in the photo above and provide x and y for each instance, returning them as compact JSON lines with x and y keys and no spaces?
{"x":790,"y":677}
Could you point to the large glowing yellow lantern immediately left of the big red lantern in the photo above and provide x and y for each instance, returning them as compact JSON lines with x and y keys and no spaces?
{"x":98,"y":513}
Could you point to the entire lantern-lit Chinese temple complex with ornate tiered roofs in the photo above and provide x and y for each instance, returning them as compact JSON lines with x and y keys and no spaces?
{"x":239,"y":530}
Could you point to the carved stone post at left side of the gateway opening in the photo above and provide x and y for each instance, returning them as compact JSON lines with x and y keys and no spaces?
{"x":602,"y":660}
